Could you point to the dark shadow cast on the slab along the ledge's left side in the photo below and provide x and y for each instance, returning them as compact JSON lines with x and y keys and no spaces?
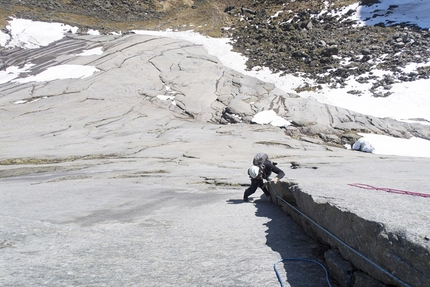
{"x":287,"y":238}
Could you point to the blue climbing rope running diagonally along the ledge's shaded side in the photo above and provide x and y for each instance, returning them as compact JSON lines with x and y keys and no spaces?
{"x":338,"y":240}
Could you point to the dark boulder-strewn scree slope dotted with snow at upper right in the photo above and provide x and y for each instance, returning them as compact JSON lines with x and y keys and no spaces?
{"x":329,"y":48}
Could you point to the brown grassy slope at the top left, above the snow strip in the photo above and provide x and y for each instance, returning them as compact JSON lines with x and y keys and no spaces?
{"x":109,"y":16}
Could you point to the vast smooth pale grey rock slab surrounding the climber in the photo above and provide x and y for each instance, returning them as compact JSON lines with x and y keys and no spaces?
{"x":105,"y":183}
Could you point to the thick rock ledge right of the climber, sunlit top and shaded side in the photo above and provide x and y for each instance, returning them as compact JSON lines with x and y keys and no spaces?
{"x":374,"y":232}
